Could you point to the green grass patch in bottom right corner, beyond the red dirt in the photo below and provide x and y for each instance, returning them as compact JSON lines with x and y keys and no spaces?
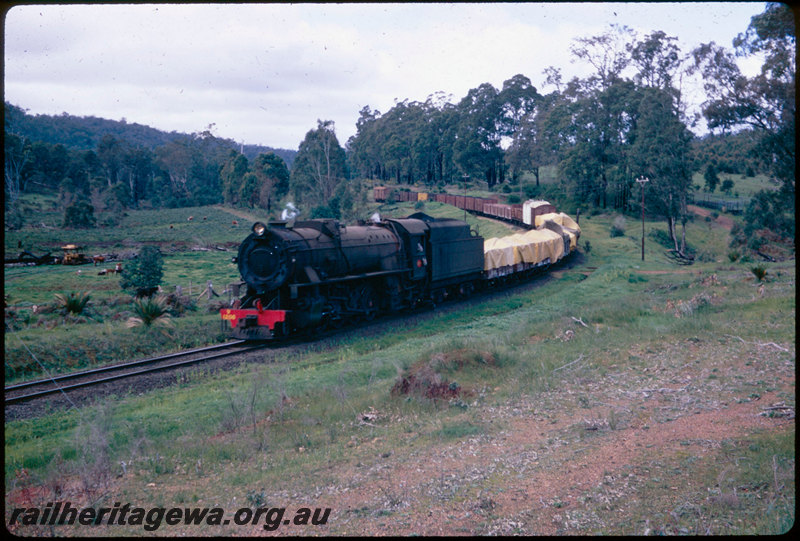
{"x":745,"y":487}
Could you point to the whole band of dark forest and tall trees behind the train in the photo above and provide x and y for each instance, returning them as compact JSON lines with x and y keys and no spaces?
{"x":626,"y":120}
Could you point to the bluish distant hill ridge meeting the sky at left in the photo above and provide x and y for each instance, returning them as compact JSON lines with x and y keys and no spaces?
{"x":83,"y":133}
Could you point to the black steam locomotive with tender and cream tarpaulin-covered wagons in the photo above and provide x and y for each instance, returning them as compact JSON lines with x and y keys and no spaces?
{"x":320,"y":273}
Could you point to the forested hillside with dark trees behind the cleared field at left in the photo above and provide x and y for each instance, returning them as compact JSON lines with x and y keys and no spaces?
{"x":113,"y":165}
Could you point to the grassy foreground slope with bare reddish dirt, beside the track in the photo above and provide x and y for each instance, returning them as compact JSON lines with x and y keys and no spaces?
{"x":524,"y":389}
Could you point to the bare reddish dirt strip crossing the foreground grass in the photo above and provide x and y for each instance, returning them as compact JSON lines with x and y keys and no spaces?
{"x":534,"y":473}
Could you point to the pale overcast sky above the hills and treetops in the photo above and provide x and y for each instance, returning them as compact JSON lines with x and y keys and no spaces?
{"x":264,"y":74}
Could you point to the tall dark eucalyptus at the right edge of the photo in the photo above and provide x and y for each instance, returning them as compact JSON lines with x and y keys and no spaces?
{"x":765,"y":103}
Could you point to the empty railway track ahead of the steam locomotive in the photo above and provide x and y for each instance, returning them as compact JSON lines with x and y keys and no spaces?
{"x":87,"y":378}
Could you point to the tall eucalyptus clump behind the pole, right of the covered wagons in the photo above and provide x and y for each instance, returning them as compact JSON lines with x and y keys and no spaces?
{"x":622,"y":121}
